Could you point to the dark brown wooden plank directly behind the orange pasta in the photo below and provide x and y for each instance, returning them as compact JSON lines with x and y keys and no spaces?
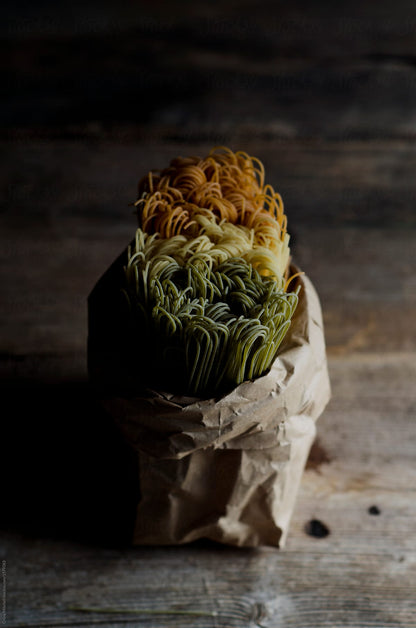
{"x":334,"y":183}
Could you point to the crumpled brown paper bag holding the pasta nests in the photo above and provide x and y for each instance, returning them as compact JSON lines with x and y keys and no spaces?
{"x":226,"y":469}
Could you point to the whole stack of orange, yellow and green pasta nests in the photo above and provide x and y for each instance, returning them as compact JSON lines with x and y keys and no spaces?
{"x":207,"y":275}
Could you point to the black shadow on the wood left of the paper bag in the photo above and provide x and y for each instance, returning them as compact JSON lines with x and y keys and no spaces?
{"x":67,"y":472}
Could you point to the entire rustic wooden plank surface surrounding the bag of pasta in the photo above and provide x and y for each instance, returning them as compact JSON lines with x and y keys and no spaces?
{"x":94,"y":94}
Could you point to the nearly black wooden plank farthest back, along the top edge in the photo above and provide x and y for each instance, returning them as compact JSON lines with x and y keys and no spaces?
{"x":217,"y":72}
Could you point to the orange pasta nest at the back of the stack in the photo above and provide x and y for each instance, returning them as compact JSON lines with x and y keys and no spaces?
{"x":225,"y":186}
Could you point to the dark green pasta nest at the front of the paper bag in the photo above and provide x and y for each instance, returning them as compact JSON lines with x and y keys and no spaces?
{"x":201,"y":326}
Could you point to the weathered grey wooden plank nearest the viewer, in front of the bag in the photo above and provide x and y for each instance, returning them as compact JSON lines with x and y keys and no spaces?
{"x":263,"y":594}
